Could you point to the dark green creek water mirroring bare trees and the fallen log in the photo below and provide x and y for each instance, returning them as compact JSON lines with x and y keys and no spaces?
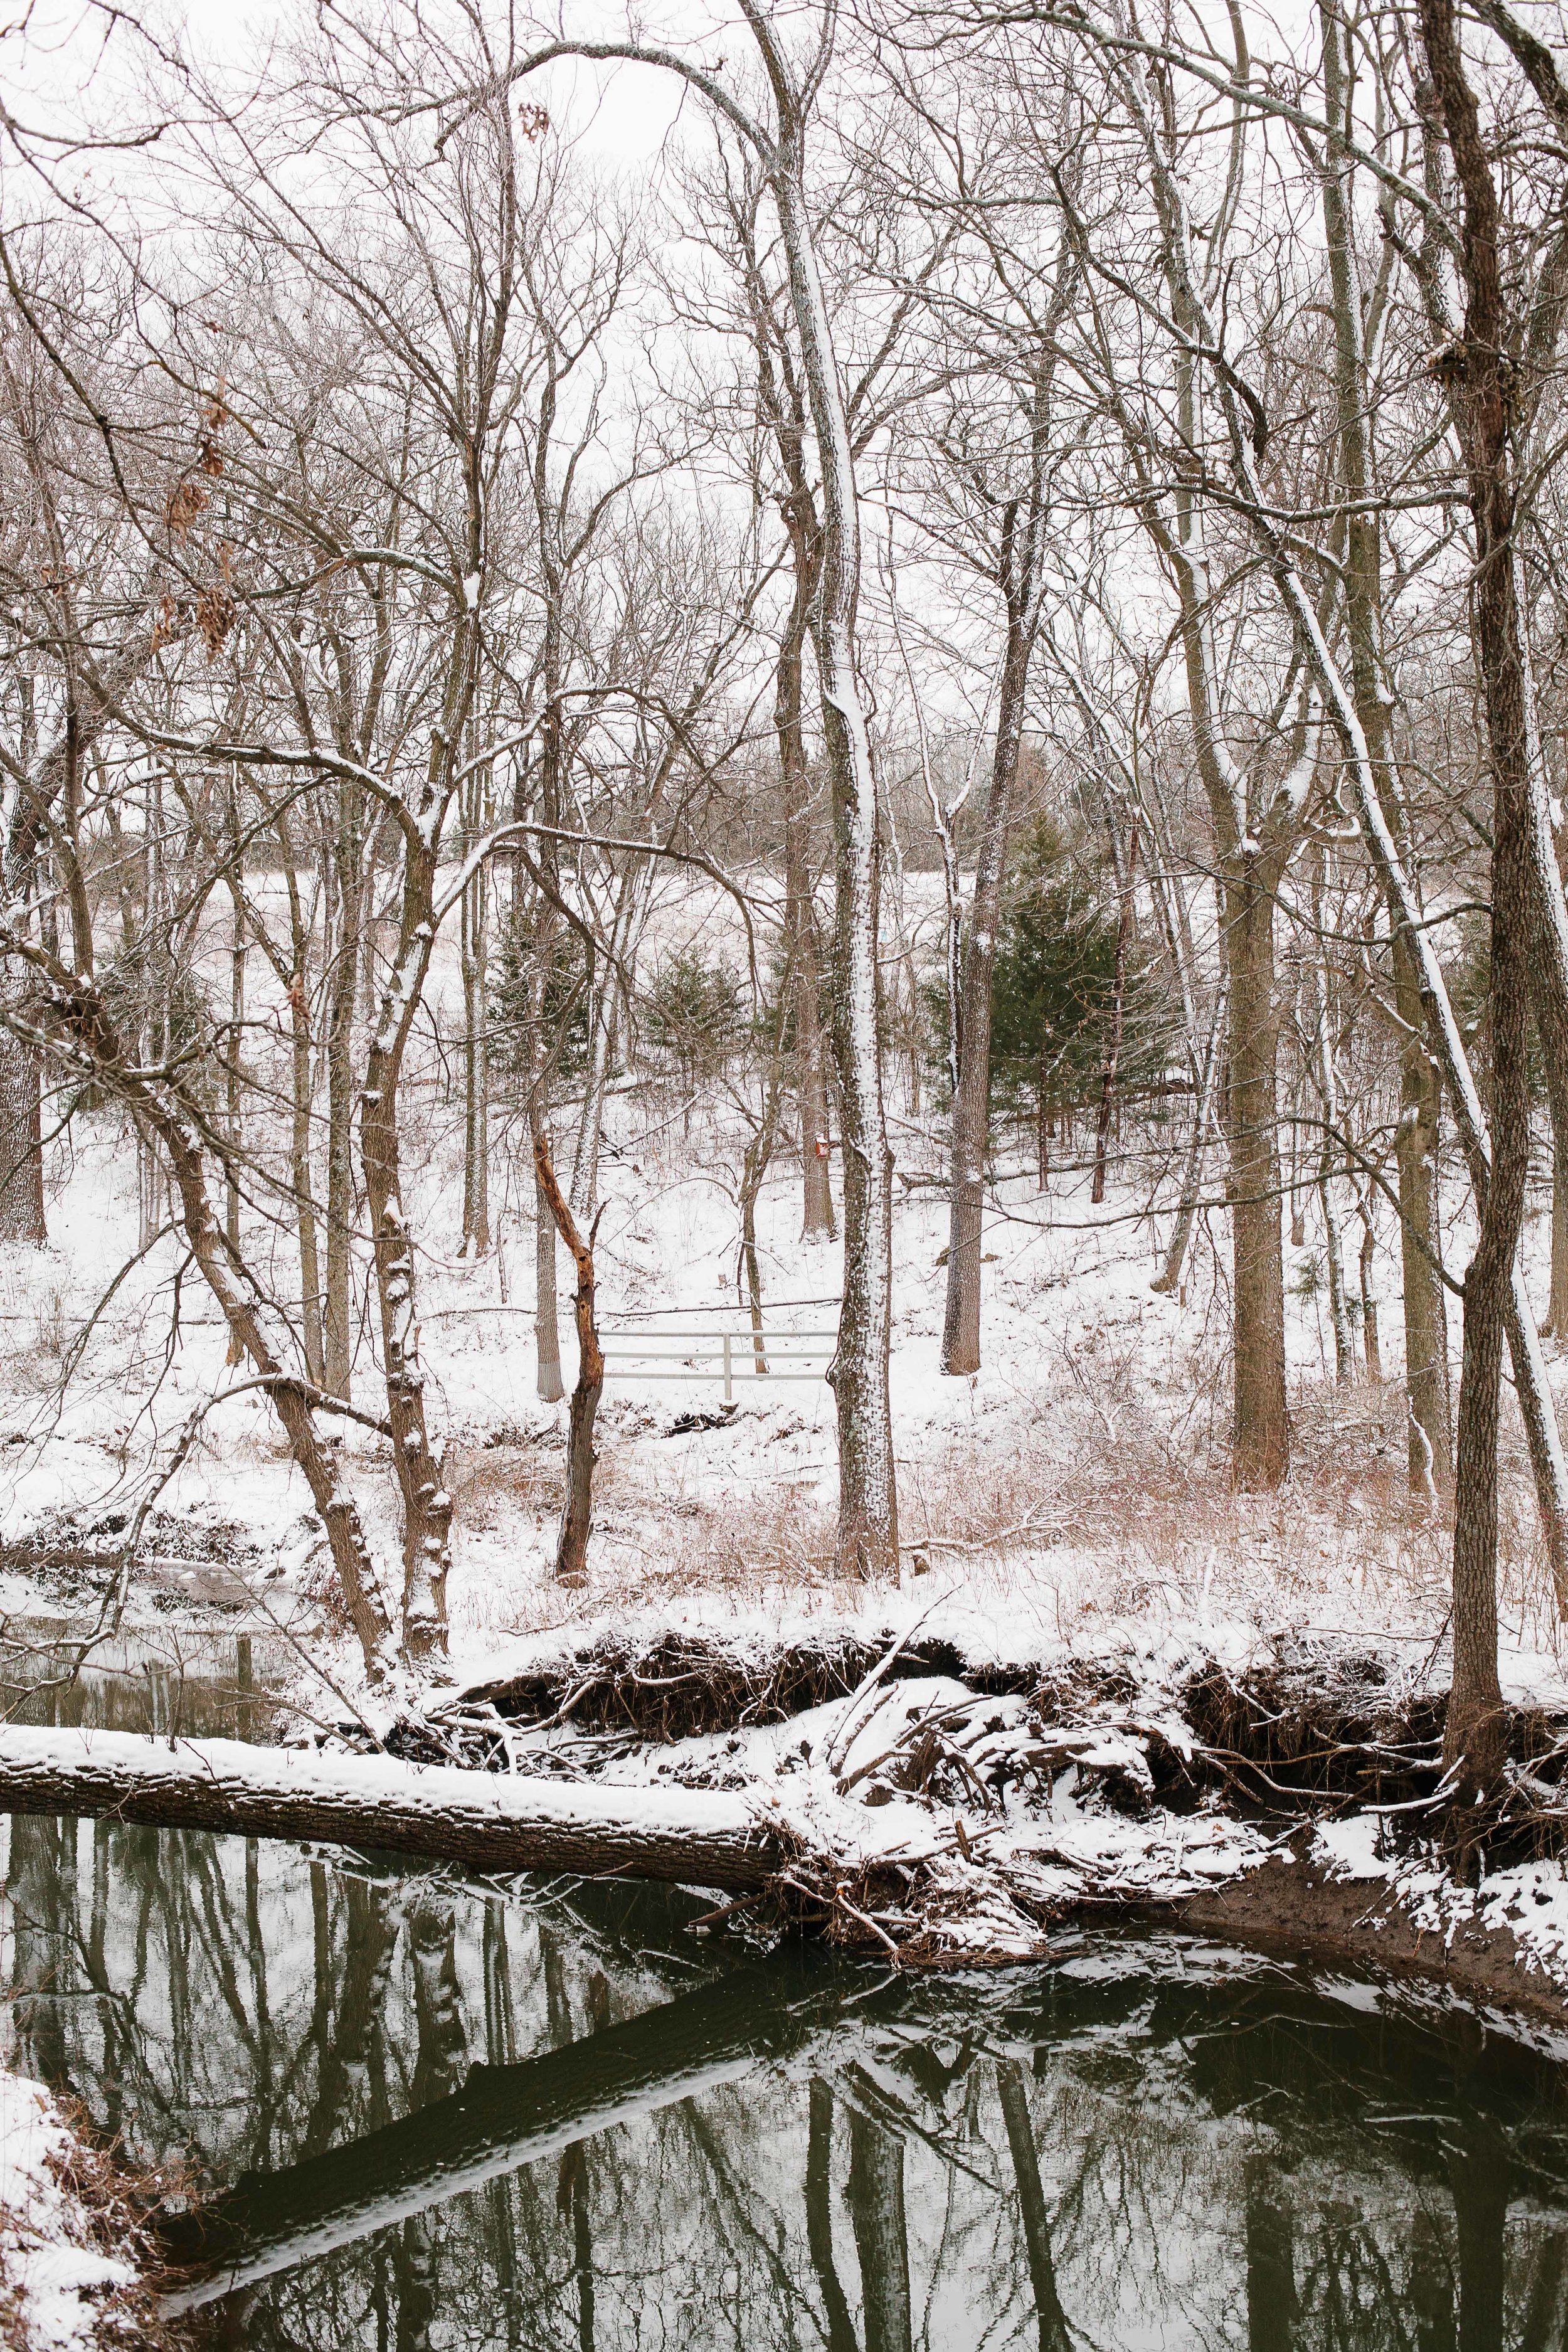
{"x":434,"y":2116}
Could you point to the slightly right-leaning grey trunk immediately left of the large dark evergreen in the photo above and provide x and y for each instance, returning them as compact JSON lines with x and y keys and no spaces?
{"x":974,"y":1027}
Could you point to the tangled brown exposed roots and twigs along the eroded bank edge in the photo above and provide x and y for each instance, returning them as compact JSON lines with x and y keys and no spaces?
{"x":1313,"y":1730}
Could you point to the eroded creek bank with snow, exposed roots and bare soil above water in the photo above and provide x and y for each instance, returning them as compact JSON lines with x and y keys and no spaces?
{"x":1289,"y":1798}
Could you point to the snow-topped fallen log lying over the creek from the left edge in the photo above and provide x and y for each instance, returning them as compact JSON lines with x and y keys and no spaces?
{"x":483,"y":1822}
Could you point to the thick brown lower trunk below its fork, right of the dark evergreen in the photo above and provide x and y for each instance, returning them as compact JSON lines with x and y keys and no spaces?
{"x":1261,"y":1422}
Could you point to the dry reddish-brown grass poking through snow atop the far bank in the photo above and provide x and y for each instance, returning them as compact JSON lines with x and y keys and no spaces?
{"x":1134,"y":1492}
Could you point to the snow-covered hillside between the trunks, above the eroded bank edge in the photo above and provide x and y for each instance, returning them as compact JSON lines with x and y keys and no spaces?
{"x":1080,"y":1481}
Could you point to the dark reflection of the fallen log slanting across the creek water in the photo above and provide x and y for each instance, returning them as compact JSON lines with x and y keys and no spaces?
{"x":502,"y":2120}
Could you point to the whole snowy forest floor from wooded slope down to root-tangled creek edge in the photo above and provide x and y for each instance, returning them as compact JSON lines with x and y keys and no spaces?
{"x":1101,"y":1676}
